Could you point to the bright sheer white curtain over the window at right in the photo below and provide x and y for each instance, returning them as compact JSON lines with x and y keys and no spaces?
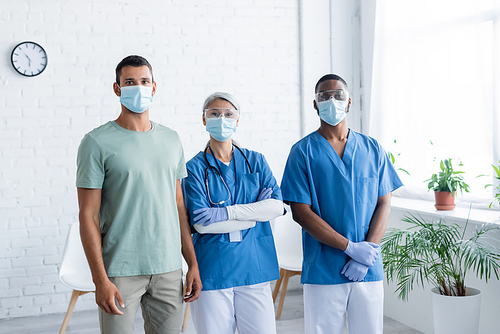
{"x":436,"y":78}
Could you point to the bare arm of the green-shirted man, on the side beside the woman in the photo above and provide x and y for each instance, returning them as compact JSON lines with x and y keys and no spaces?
{"x":193,"y":281}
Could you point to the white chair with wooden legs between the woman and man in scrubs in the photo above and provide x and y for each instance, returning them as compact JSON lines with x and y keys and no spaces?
{"x":288,"y":240}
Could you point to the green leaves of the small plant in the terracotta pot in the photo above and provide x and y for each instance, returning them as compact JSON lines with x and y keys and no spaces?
{"x":447,"y":179}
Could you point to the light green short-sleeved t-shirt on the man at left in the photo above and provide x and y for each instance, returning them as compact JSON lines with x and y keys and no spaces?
{"x":137,"y":172}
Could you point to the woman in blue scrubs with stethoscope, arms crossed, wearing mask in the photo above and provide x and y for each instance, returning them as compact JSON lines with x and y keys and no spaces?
{"x":231,"y":194}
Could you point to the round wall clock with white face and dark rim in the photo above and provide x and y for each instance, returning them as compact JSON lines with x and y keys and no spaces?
{"x":29,"y":59}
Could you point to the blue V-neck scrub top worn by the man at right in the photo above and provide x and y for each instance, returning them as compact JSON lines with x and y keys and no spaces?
{"x":343,"y":192}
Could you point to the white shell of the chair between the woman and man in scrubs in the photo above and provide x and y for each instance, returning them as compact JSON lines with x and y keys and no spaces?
{"x":288,"y":238}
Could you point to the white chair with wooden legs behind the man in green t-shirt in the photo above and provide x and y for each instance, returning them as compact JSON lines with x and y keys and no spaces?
{"x":75,"y":271}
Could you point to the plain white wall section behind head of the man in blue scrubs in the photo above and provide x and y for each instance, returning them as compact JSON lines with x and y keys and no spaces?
{"x":330,"y":44}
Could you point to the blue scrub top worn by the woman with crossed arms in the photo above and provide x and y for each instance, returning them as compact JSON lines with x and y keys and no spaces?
{"x":224,"y":264}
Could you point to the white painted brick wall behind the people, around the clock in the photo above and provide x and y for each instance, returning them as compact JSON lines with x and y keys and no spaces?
{"x":249,"y":48}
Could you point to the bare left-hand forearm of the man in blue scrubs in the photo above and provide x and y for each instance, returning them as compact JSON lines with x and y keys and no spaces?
{"x":317,"y":227}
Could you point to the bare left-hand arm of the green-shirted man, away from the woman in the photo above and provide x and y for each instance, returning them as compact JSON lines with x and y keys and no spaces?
{"x":90,"y":202}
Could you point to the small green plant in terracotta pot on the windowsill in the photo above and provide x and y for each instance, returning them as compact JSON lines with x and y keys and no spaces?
{"x":445,"y":184}
